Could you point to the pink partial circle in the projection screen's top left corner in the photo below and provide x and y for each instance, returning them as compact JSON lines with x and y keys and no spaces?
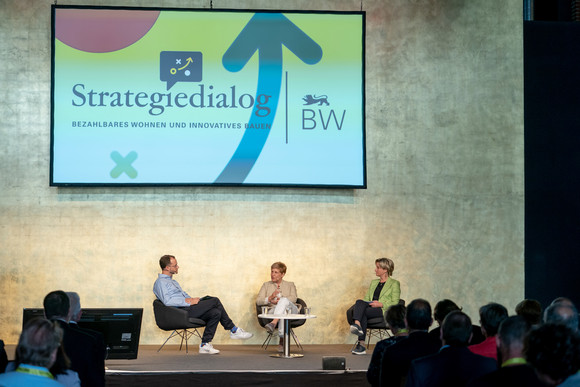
{"x":102,"y":30}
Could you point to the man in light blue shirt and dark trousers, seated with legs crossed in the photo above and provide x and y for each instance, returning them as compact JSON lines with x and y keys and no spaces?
{"x":208,"y":309}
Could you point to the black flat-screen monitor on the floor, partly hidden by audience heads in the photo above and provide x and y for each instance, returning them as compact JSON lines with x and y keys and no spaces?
{"x":121,"y":328}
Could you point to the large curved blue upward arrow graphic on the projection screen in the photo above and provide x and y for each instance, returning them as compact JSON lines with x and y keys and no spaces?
{"x":265,"y":33}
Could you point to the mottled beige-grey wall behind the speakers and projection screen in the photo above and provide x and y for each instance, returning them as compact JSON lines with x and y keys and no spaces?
{"x":444,"y":93}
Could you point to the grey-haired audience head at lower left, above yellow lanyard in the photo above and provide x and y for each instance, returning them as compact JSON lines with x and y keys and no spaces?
{"x":38,"y":343}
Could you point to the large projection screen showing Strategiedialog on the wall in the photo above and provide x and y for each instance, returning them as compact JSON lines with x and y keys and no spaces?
{"x":164,"y":97}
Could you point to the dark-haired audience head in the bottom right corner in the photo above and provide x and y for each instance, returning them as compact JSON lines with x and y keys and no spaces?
{"x":553,"y":350}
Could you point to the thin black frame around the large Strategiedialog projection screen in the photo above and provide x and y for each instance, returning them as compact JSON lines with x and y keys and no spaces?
{"x":363,"y":185}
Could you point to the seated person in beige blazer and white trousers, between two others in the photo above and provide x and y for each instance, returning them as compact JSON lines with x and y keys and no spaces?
{"x":278,"y":295}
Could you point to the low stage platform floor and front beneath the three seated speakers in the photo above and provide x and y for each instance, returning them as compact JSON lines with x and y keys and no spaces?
{"x":235,"y":365}
